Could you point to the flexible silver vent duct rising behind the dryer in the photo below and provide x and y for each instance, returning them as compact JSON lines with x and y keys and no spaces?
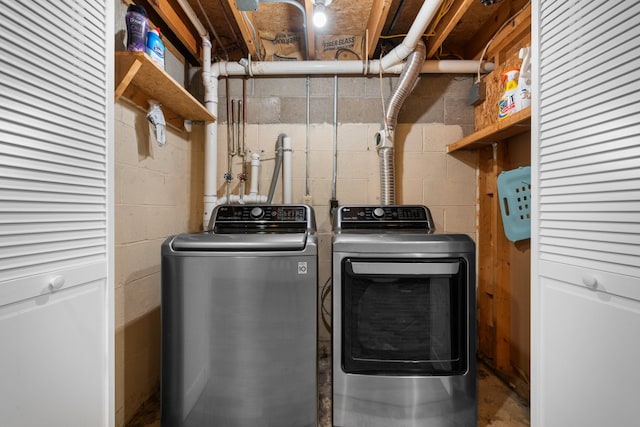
{"x":385,"y":138}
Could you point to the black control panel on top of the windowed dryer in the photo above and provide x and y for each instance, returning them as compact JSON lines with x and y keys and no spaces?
{"x":393,"y":216}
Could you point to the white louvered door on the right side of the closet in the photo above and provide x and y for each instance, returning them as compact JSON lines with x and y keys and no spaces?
{"x":586,"y":219}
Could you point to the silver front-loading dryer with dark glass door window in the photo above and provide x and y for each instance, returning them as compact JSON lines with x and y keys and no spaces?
{"x":403,"y":320}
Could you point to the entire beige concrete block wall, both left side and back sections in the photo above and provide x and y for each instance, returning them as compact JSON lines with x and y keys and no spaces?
{"x":159,"y":190}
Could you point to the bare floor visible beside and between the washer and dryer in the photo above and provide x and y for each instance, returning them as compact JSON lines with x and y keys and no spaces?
{"x":498,"y":405}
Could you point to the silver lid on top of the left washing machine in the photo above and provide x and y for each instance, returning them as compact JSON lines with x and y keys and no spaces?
{"x":210,"y":242}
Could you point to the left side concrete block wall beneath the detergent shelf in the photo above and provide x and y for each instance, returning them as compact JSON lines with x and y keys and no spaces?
{"x":158,"y":193}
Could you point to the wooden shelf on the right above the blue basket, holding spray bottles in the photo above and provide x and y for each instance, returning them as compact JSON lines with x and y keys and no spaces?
{"x":515,"y":124}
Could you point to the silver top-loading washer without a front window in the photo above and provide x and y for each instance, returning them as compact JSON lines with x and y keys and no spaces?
{"x":239,"y":320}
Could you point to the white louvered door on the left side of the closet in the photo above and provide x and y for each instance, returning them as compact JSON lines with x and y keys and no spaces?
{"x":56,"y":297}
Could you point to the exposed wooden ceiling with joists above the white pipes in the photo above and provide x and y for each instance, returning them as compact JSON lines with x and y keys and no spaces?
{"x":462,"y":30}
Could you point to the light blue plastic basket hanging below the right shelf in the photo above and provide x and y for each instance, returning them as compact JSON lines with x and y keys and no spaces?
{"x":514,"y":191}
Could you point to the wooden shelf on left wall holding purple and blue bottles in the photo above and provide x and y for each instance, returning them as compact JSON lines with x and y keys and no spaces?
{"x":139,"y":79}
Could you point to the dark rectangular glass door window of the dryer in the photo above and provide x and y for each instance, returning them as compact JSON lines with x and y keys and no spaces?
{"x":404,"y":317}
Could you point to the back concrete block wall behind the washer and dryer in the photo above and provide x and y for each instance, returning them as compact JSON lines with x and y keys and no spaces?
{"x":435,"y":115}
